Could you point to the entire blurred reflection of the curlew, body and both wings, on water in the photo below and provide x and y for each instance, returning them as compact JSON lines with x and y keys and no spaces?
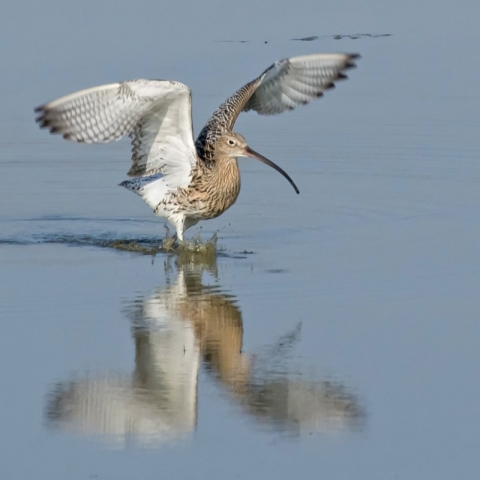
{"x":177,"y":329}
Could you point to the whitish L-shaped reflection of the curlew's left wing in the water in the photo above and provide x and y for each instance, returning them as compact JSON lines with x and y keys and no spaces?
{"x":157,"y":404}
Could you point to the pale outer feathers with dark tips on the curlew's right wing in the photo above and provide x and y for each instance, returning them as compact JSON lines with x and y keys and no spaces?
{"x":296,"y":81}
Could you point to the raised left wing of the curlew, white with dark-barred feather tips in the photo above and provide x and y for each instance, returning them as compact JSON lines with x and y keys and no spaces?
{"x":156,"y":114}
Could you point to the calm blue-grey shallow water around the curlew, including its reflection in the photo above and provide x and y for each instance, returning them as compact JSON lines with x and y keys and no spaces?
{"x":335,"y":333}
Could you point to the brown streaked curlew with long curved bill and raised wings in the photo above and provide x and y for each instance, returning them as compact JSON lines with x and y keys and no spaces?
{"x":181,"y":180}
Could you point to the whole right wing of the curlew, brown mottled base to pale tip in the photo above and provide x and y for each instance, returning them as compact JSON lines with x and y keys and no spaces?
{"x":285,"y":85}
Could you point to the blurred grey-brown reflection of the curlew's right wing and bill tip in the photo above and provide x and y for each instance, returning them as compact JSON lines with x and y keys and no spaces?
{"x":294,"y":403}
